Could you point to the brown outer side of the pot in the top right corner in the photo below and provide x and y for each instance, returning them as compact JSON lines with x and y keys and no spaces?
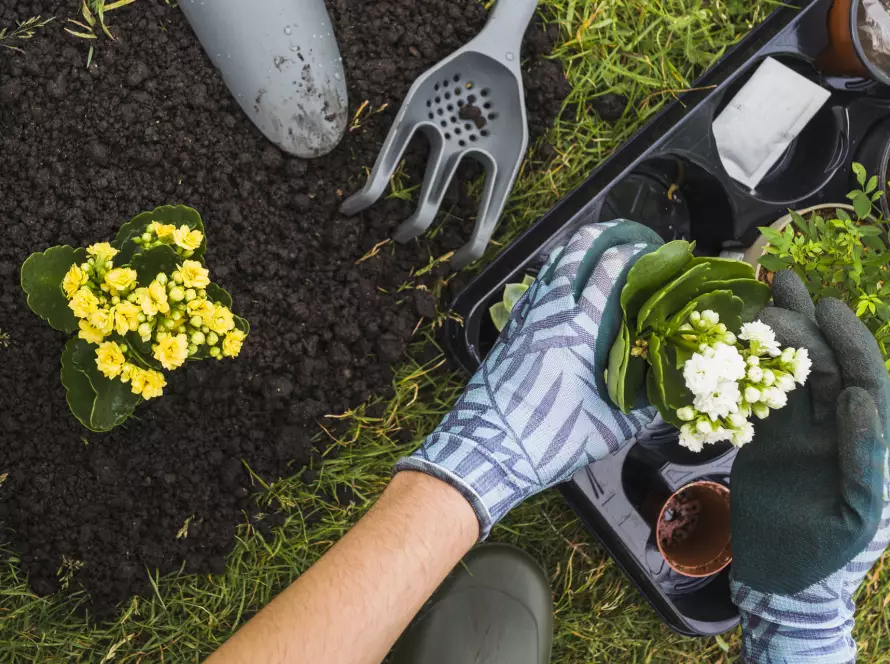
{"x":845,"y":55}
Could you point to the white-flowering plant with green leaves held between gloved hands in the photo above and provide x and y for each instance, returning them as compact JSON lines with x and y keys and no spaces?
{"x":688,"y":332}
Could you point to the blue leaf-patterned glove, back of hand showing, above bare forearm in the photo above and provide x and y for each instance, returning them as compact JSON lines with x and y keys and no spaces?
{"x":537,"y":409}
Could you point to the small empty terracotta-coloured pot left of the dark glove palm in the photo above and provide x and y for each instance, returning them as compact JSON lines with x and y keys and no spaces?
{"x":693,"y":530}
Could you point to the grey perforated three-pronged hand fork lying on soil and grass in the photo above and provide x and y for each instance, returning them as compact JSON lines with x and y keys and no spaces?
{"x":471,"y":104}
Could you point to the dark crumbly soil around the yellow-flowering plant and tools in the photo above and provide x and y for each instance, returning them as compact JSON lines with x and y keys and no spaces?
{"x":151,"y":123}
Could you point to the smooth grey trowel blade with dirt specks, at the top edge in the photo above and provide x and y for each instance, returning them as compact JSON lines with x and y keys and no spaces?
{"x":281,"y":61}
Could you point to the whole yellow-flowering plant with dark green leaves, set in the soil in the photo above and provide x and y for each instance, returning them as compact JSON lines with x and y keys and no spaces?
{"x":141,"y":305}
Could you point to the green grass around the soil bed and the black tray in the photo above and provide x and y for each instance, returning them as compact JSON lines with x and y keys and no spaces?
{"x":648,"y":50}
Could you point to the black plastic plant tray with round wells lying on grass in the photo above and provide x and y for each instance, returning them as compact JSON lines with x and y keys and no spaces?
{"x":677,"y":147}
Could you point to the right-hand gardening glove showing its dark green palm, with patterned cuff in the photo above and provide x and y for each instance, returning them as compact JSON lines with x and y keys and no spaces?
{"x":810,"y":494}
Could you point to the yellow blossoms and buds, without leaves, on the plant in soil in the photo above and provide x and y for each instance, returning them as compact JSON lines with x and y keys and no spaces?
{"x":173,"y":312}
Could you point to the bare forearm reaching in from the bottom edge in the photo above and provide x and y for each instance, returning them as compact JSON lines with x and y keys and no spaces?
{"x":351,"y":606}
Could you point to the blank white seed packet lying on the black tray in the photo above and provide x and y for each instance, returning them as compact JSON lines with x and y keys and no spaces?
{"x":759,"y":123}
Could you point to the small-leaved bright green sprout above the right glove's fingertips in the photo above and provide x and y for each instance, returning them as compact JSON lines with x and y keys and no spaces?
{"x":841,"y":255}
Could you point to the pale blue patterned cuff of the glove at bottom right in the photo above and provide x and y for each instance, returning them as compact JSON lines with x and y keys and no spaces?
{"x":812,"y":627}
